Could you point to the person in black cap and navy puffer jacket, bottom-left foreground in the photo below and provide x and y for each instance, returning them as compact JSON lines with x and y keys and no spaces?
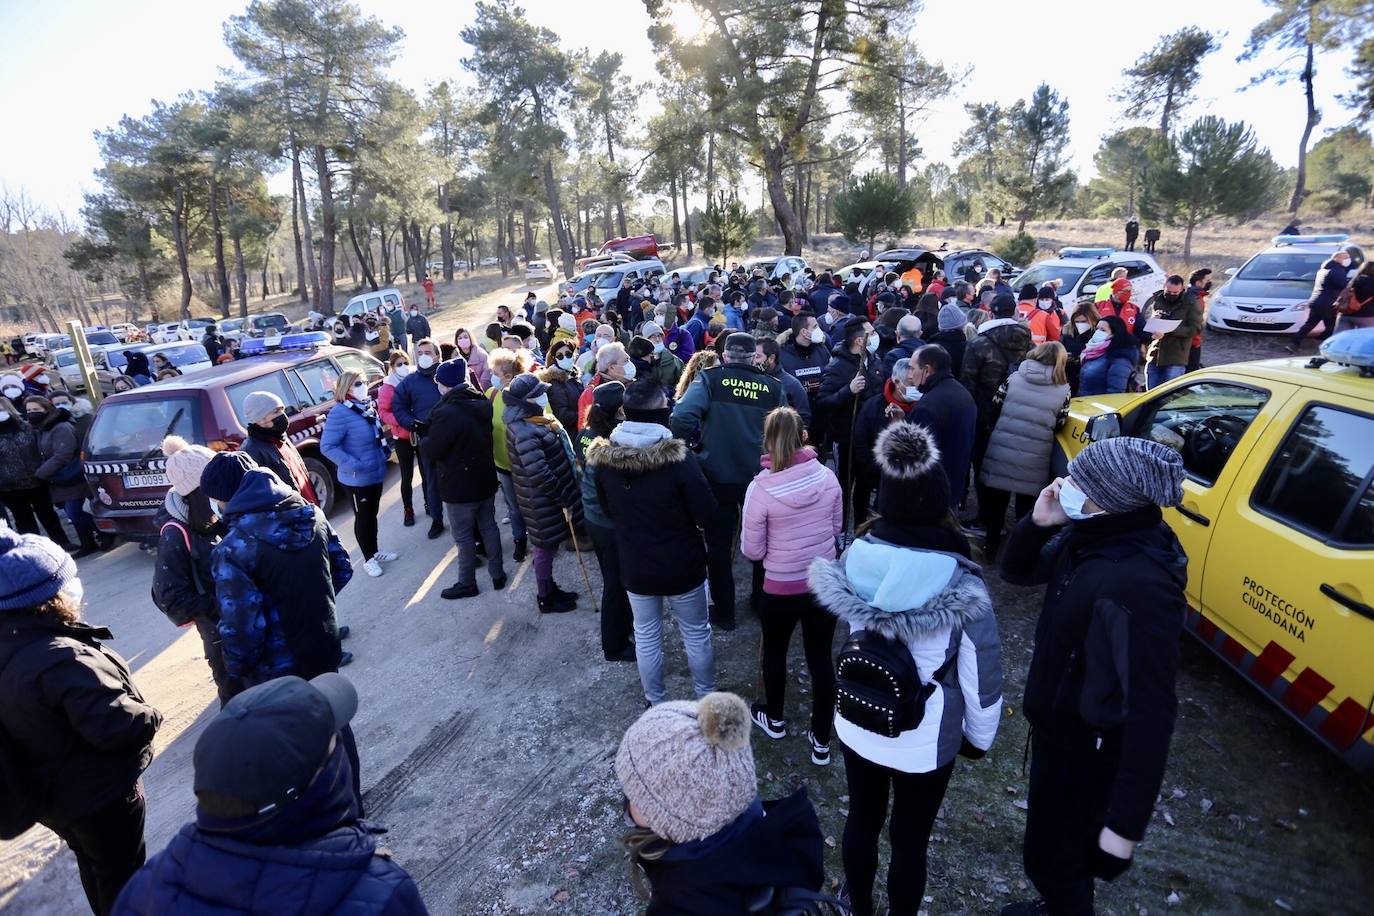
{"x":277,"y":826}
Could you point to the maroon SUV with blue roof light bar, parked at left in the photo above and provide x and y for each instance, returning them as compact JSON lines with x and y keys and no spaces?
{"x":122,"y":453}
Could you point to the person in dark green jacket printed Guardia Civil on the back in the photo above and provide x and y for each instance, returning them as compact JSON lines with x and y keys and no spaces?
{"x":728,"y":406}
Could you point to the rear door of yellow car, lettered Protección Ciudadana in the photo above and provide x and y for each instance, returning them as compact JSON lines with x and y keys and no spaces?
{"x":1291,"y":569}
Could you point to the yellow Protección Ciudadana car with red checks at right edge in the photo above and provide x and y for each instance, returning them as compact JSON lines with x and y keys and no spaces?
{"x":1277,"y":520}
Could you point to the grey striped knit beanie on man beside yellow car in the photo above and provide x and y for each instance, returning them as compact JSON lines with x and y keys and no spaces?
{"x":1127,"y":473}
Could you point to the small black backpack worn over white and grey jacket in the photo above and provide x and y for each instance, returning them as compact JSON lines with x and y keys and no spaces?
{"x":879,"y":687}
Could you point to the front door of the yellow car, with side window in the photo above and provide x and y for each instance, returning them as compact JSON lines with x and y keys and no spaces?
{"x":1213,"y":424}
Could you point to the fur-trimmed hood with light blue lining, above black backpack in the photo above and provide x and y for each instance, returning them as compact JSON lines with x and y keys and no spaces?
{"x":958,"y":599}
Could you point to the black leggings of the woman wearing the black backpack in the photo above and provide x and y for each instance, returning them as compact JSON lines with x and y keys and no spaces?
{"x":916,"y":801}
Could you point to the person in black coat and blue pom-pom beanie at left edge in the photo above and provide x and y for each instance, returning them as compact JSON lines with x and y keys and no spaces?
{"x":79,"y":730}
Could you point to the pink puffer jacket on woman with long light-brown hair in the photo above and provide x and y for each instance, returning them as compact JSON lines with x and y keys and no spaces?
{"x":792,"y":518}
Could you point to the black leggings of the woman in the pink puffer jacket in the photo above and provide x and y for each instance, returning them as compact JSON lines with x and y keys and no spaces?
{"x":781,"y":615}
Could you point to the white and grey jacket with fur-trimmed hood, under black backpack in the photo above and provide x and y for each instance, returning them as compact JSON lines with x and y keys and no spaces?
{"x":936,"y":605}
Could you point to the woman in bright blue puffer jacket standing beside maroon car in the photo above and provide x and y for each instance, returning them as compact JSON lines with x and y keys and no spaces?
{"x":357,"y":440}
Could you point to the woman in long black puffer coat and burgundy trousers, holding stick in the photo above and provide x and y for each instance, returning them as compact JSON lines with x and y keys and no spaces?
{"x":546,"y":484}
